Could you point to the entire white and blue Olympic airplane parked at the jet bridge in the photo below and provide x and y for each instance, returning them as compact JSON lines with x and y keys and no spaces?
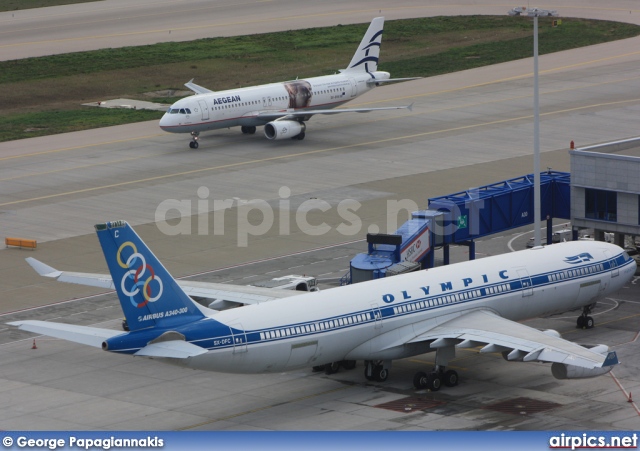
{"x":474,"y":304}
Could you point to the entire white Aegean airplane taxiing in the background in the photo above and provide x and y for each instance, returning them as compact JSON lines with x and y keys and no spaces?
{"x":284,"y":107}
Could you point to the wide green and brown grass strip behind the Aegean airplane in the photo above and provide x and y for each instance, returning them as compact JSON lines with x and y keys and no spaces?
{"x":35,"y":88}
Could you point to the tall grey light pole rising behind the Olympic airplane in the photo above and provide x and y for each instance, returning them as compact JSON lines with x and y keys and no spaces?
{"x":537,"y":232}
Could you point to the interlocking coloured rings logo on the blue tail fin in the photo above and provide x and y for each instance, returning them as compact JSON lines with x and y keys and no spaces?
{"x":137,"y":270}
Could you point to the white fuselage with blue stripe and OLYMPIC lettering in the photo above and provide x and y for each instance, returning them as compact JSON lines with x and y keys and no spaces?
{"x":372,"y":320}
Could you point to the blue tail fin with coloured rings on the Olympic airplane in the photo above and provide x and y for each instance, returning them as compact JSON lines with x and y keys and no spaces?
{"x":149,"y":296}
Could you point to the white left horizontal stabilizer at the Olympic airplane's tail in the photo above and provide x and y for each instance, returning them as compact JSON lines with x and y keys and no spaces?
{"x":85,"y":335}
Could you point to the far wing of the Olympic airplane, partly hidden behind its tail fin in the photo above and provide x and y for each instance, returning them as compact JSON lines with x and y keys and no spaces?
{"x":220,"y":295}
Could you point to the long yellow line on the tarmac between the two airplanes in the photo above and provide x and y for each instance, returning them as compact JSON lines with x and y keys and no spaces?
{"x":307,"y":153}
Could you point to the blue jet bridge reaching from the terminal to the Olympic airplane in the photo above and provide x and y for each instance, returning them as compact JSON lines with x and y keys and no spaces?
{"x":460,"y":219}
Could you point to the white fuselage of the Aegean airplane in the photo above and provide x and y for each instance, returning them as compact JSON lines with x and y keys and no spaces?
{"x":246,"y":106}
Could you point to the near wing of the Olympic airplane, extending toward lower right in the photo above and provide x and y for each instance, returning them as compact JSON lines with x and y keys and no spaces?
{"x":520,"y":342}
